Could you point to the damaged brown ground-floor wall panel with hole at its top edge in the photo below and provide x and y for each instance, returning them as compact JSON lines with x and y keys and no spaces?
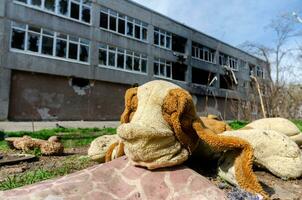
{"x":46,"y":97}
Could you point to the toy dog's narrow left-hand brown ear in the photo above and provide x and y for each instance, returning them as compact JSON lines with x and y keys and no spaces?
{"x":130,"y":105}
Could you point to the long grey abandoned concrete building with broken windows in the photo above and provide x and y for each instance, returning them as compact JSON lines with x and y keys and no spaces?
{"x":74,"y":59}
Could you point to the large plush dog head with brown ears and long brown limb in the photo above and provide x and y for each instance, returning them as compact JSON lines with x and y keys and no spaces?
{"x":160,"y":128}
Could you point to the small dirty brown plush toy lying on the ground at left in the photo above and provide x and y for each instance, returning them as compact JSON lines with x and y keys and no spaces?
{"x":50,"y":147}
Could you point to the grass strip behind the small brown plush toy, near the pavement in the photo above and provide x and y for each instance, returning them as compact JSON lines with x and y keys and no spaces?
{"x":70,"y":137}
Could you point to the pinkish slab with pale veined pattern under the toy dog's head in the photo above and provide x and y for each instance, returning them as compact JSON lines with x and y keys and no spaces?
{"x":120,"y":180}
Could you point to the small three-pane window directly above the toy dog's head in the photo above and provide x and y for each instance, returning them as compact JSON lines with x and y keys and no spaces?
{"x":162,"y":68}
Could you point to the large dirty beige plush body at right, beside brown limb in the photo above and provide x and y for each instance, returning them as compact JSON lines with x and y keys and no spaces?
{"x":272,"y":150}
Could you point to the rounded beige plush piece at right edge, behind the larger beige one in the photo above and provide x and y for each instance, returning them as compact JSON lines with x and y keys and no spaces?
{"x":280,"y":125}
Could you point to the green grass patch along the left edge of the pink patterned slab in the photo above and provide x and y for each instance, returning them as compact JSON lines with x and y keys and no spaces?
{"x":70,"y":164}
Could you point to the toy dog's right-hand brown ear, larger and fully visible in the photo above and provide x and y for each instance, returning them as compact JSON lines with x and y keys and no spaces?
{"x":179,"y":111}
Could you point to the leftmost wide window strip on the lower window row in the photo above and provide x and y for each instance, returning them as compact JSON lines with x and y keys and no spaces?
{"x":45,"y":42}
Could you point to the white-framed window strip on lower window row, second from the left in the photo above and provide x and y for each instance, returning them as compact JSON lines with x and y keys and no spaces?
{"x":122,"y":59}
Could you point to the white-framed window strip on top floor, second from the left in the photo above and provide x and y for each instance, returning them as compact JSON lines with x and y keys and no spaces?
{"x":125,"y":25}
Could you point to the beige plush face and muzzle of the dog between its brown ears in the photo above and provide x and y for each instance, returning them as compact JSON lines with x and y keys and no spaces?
{"x":149,"y":140}
